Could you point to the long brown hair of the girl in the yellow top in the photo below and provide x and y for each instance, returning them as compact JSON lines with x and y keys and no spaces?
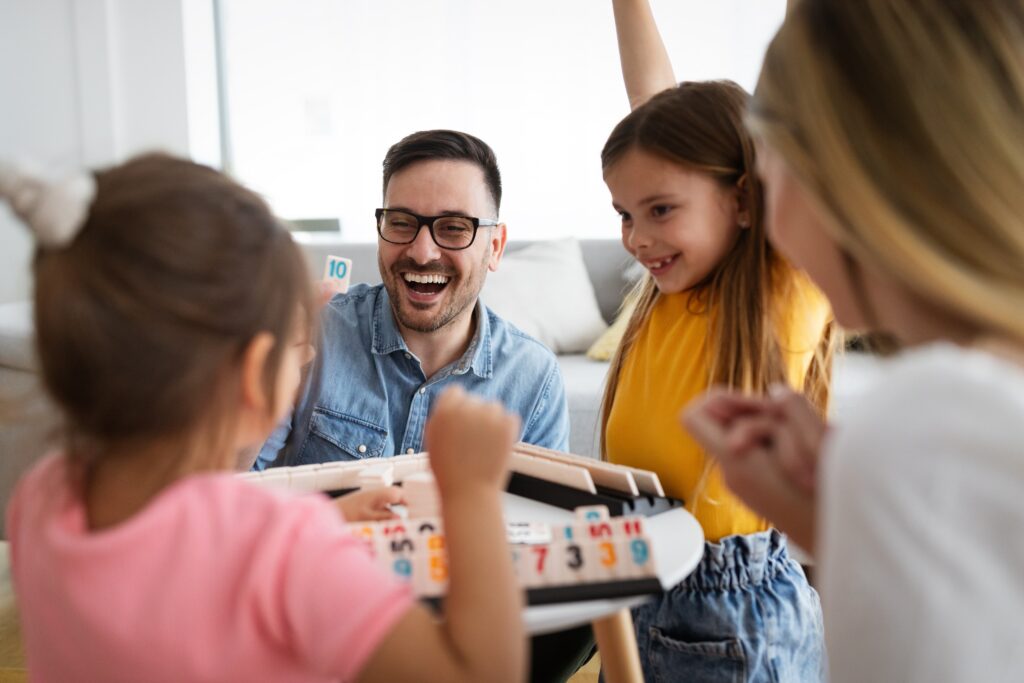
{"x":700,"y":125}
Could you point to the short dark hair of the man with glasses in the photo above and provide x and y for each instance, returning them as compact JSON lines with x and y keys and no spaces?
{"x":445,"y":145}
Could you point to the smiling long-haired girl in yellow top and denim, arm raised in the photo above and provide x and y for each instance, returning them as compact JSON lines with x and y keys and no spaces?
{"x":718,"y":306}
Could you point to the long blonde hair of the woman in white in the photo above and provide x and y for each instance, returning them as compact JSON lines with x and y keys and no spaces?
{"x":904,"y":120}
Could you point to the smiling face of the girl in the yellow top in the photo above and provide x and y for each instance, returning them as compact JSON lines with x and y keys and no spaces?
{"x":677,"y":223}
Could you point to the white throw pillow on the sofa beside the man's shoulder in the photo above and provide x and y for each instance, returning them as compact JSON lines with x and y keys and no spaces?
{"x":545,"y":291}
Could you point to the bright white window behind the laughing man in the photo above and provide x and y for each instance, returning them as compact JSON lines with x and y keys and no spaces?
{"x":317,"y":91}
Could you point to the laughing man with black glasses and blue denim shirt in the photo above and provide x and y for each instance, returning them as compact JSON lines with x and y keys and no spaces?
{"x":387,"y":352}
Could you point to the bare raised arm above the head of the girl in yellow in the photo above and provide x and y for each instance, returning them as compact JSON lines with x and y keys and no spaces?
{"x":647,"y":69}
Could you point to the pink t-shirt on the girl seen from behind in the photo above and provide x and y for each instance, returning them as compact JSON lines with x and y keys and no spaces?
{"x":216,"y":580}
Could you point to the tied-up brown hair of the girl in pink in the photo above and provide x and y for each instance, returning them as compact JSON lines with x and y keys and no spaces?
{"x":141,"y":318}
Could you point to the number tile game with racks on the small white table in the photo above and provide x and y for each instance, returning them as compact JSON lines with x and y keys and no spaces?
{"x":578,"y":529}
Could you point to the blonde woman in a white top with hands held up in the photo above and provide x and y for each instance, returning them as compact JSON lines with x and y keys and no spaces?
{"x":892,"y":152}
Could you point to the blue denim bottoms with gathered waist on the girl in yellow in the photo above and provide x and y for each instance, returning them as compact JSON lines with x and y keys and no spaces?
{"x":746,"y":615}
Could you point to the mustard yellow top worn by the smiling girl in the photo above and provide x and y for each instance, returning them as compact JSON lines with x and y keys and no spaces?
{"x":665,"y":370}
